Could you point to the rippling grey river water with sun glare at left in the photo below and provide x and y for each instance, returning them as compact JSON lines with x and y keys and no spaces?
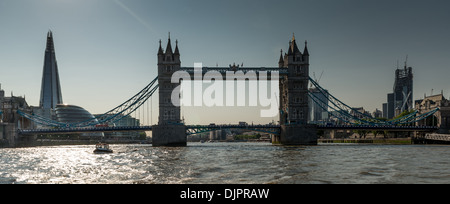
{"x":223,"y":163}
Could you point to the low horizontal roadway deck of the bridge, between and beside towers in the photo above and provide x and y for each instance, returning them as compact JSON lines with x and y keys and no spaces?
{"x":270,"y":128}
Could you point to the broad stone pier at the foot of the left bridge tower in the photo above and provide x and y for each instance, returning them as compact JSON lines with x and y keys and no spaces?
{"x":169,"y":135}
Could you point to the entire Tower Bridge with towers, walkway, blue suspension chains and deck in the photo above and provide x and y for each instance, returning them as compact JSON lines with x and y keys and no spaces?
{"x":293,"y":78}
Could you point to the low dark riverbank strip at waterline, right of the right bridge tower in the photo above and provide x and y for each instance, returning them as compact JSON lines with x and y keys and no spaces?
{"x":399,"y":141}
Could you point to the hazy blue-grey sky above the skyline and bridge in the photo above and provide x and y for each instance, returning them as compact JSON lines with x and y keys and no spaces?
{"x":106,"y":49}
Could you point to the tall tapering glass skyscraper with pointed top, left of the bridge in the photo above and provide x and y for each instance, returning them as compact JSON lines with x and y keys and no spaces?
{"x":50,"y":88}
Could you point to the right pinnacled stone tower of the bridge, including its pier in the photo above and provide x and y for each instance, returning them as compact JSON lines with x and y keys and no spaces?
{"x":294,"y":98}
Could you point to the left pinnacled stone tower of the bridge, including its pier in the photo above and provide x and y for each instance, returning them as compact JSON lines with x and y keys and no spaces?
{"x":169,"y":131}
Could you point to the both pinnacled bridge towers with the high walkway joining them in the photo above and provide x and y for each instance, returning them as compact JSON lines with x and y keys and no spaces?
{"x":293,"y":84}
